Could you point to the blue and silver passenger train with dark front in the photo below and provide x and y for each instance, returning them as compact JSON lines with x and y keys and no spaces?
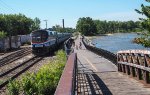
{"x":45,"y":41}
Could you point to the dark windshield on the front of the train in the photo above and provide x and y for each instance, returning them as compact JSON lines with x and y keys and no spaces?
{"x":39,"y":36}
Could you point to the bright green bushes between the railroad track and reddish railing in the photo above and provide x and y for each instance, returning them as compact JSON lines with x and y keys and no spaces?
{"x":45,"y":81}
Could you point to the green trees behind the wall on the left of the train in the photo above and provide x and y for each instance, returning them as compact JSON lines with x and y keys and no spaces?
{"x":17,"y":24}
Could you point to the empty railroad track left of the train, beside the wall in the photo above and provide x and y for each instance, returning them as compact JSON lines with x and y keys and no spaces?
{"x":14,"y":56}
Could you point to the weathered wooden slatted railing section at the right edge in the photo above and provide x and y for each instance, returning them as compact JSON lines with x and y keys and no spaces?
{"x":135,"y":63}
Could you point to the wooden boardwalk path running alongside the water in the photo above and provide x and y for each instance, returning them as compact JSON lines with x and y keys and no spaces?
{"x":99,"y":76}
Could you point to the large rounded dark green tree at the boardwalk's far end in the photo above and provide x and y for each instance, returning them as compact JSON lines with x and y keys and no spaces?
{"x":86,"y":26}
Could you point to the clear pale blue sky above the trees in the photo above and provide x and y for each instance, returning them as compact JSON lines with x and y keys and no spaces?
{"x":71,"y":10}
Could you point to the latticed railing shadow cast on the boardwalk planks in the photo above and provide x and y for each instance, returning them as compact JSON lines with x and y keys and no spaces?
{"x":90,"y":82}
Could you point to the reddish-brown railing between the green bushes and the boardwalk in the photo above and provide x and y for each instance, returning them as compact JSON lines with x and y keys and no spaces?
{"x":67,"y":83}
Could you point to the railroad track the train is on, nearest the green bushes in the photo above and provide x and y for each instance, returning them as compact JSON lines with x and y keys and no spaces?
{"x":18,"y":70}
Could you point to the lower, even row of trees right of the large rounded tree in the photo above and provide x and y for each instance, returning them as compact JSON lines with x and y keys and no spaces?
{"x":104,"y":27}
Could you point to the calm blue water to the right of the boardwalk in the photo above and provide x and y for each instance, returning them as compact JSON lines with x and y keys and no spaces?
{"x":117,"y":41}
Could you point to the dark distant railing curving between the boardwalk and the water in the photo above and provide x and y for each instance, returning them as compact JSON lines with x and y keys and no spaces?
{"x":106,"y":54}
